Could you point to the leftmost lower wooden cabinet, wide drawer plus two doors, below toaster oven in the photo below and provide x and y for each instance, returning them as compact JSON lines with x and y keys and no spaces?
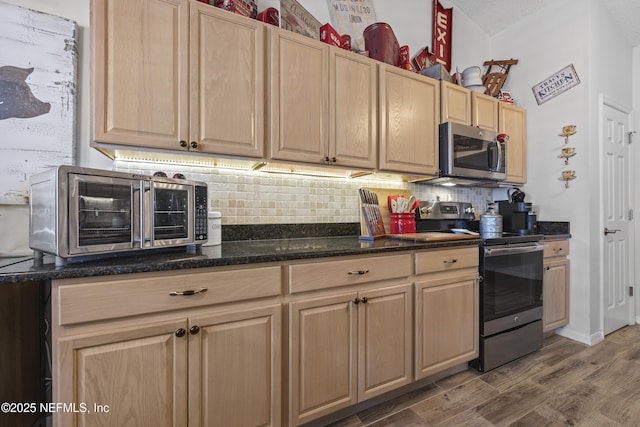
{"x":208,"y":365}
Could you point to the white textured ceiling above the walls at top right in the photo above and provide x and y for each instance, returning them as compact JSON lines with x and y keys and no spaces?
{"x":491,"y":15}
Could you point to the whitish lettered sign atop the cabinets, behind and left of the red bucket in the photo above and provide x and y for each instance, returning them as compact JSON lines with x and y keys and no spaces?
{"x":352,"y":17}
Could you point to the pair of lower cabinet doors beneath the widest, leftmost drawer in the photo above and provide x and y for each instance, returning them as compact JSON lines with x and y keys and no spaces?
{"x":218,"y":370}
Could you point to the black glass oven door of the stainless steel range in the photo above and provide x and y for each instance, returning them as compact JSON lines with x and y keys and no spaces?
{"x":512,"y":286}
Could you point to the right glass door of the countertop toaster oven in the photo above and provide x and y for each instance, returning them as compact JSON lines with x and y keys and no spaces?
{"x":170,"y":215}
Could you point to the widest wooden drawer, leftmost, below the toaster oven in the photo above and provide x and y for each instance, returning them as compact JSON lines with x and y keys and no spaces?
{"x":89,"y":299}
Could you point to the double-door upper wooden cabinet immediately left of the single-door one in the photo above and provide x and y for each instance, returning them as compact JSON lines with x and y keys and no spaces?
{"x":323,"y":103}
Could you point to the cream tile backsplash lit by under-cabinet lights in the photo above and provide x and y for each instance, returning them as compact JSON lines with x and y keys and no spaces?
{"x":255,"y":197}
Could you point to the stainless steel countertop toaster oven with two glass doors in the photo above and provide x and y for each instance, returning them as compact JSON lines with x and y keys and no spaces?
{"x":78,"y":212}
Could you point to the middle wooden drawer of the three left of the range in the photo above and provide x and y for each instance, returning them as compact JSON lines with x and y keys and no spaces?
{"x":331,"y":274}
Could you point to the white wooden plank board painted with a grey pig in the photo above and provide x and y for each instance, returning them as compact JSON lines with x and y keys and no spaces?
{"x":37,"y":96}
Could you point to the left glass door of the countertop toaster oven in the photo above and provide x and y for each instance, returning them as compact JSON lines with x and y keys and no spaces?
{"x":102,"y":214}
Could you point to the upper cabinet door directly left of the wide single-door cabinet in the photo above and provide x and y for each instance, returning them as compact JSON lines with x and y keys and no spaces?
{"x":354,"y":110}
